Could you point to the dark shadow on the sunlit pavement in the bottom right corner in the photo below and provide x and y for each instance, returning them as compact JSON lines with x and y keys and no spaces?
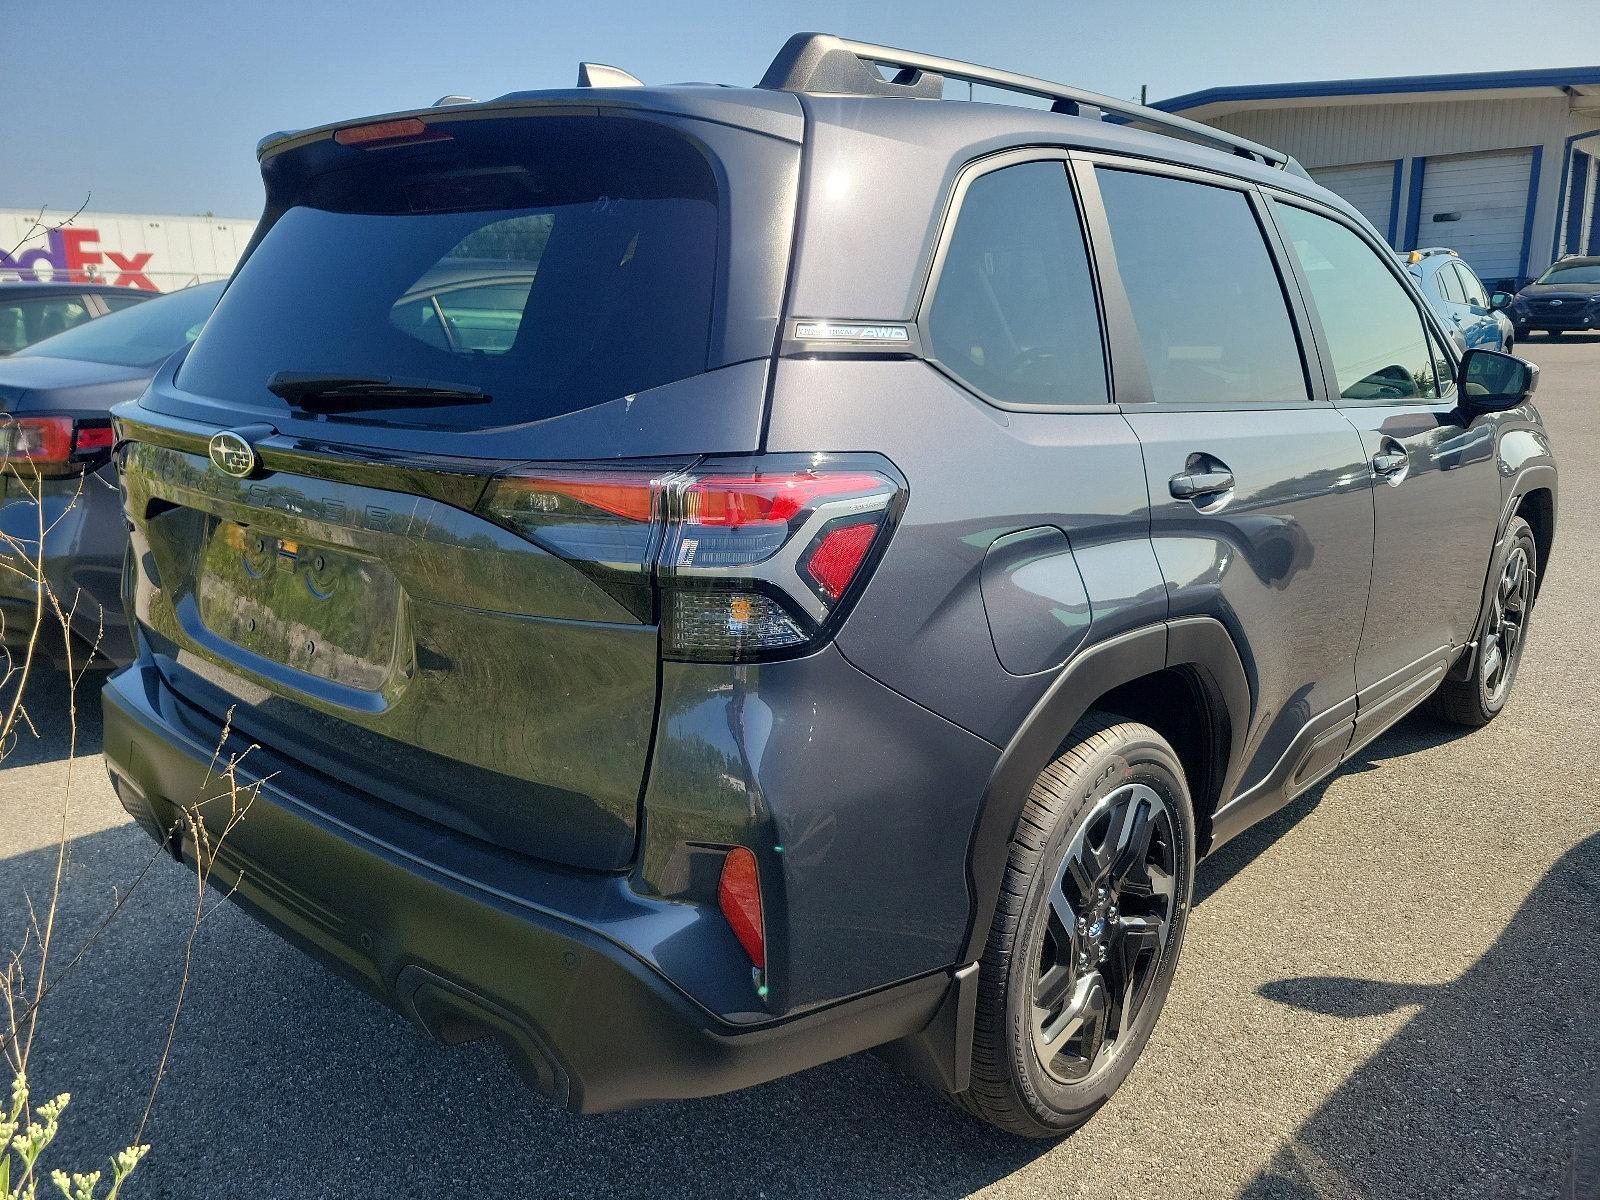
{"x":1487,"y":1082}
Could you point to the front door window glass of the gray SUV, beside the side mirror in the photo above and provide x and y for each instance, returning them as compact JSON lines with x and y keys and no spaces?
{"x":1375,"y":332}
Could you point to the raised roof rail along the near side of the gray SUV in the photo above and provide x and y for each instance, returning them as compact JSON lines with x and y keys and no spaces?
{"x":822,"y":63}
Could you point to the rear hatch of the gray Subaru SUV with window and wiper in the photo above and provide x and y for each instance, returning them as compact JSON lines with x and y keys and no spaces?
{"x":508,"y":287}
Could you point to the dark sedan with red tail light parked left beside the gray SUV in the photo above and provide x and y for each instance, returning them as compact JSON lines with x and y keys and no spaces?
{"x":57,"y":442}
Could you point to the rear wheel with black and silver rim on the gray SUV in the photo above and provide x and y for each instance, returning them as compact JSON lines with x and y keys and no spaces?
{"x":1118,"y":785}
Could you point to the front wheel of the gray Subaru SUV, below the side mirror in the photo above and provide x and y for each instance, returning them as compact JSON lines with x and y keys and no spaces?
{"x":1503,"y":634}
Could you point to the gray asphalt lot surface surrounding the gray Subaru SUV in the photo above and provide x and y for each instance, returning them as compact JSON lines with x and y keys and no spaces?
{"x":1388,"y":991}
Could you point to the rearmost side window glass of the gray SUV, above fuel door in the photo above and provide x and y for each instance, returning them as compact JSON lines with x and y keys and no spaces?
{"x":1014,"y":313}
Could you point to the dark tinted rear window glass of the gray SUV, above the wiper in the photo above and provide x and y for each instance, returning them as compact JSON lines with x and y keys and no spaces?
{"x":553,"y":263}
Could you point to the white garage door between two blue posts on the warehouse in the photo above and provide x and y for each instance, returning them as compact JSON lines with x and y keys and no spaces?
{"x":1478,"y":204}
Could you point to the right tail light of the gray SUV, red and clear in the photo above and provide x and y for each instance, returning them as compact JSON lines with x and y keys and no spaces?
{"x":751,"y":559}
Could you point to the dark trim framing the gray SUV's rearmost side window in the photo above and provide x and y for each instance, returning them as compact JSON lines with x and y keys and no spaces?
{"x":970,"y":174}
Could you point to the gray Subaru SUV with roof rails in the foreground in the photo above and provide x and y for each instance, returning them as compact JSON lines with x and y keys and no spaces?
{"x":716,"y":580}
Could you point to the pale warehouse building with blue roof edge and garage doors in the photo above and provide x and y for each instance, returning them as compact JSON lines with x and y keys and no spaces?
{"x":1498,"y":166}
